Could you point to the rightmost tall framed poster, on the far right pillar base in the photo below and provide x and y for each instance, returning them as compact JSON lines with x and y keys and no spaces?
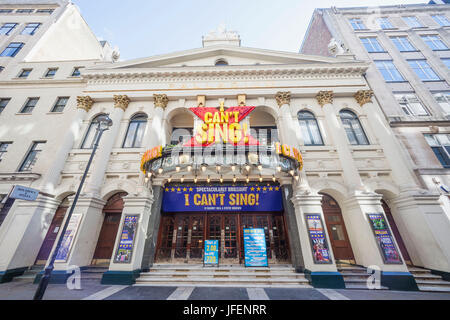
{"x":385,"y":241}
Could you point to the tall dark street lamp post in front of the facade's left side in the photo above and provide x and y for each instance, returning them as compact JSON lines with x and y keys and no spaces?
{"x":104,"y":122}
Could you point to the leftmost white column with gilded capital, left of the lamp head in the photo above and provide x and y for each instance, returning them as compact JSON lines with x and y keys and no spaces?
{"x":51,"y":178}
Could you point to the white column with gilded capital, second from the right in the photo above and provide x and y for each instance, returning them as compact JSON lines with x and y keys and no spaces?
{"x":336,"y":130}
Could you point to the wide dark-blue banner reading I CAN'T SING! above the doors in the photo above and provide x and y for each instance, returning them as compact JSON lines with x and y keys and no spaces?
{"x":222,"y":198}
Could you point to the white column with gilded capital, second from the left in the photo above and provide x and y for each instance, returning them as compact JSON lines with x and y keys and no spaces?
{"x":105,"y":146}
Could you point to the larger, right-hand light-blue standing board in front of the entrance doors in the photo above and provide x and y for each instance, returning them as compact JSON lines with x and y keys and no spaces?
{"x":255,"y":249}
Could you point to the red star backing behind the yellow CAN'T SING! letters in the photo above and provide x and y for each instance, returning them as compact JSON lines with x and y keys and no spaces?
{"x":241,"y":112}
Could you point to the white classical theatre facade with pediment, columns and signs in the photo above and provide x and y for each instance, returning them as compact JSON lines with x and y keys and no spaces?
{"x":221,"y":142}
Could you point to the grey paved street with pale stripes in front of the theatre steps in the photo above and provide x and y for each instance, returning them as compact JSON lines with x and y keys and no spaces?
{"x":93,"y":290}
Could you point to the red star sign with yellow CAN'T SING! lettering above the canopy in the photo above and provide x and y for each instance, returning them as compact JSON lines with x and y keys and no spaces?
{"x":222,"y":126}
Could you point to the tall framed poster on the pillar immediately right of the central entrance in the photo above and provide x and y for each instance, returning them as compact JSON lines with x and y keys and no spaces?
{"x":317,"y":236}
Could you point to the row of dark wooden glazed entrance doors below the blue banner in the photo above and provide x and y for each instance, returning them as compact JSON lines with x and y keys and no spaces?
{"x":181,"y":236}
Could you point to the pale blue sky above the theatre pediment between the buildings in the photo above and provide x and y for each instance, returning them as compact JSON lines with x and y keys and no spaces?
{"x":142,"y":28}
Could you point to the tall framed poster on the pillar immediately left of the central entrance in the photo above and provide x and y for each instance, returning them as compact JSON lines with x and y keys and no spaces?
{"x":125,"y":248}
